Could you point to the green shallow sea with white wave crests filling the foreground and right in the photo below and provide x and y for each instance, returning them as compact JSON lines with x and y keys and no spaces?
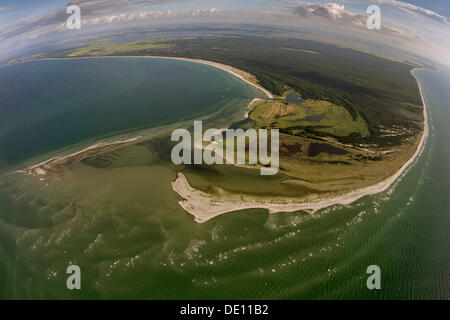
{"x":122,"y":225}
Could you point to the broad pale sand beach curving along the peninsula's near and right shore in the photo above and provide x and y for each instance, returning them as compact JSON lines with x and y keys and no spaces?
{"x":204,"y":206}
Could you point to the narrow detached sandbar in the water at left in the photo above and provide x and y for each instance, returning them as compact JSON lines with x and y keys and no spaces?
{"x":58,"y":164}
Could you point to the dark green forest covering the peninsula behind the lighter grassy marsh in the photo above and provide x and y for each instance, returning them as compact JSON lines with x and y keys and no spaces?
{"x":364,"y":84}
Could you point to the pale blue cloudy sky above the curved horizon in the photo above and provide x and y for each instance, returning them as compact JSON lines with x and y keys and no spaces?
{"x":419,"y":25}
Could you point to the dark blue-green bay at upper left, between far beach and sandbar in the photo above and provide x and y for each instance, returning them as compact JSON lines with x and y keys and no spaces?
{"x":50,"y":104}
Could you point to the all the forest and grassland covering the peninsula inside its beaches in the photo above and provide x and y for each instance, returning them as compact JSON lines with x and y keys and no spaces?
{"x":367,"y":107}
